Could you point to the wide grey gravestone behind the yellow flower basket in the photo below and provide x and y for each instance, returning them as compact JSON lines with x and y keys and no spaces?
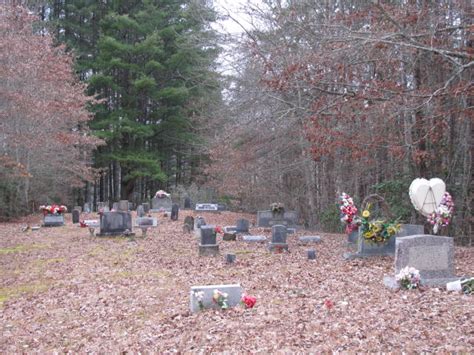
{"x":365,"y":250}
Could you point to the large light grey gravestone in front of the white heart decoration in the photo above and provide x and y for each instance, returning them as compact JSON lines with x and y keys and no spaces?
{"x":431,"y":255}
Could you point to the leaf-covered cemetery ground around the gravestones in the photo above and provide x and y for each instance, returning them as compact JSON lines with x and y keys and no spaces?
{"x":63,"y":290}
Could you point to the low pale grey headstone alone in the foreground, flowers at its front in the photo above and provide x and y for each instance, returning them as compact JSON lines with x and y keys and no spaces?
{"x":234,"y":293}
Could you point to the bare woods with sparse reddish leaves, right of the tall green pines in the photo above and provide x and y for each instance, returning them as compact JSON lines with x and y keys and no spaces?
{"x":351,"y":96}
